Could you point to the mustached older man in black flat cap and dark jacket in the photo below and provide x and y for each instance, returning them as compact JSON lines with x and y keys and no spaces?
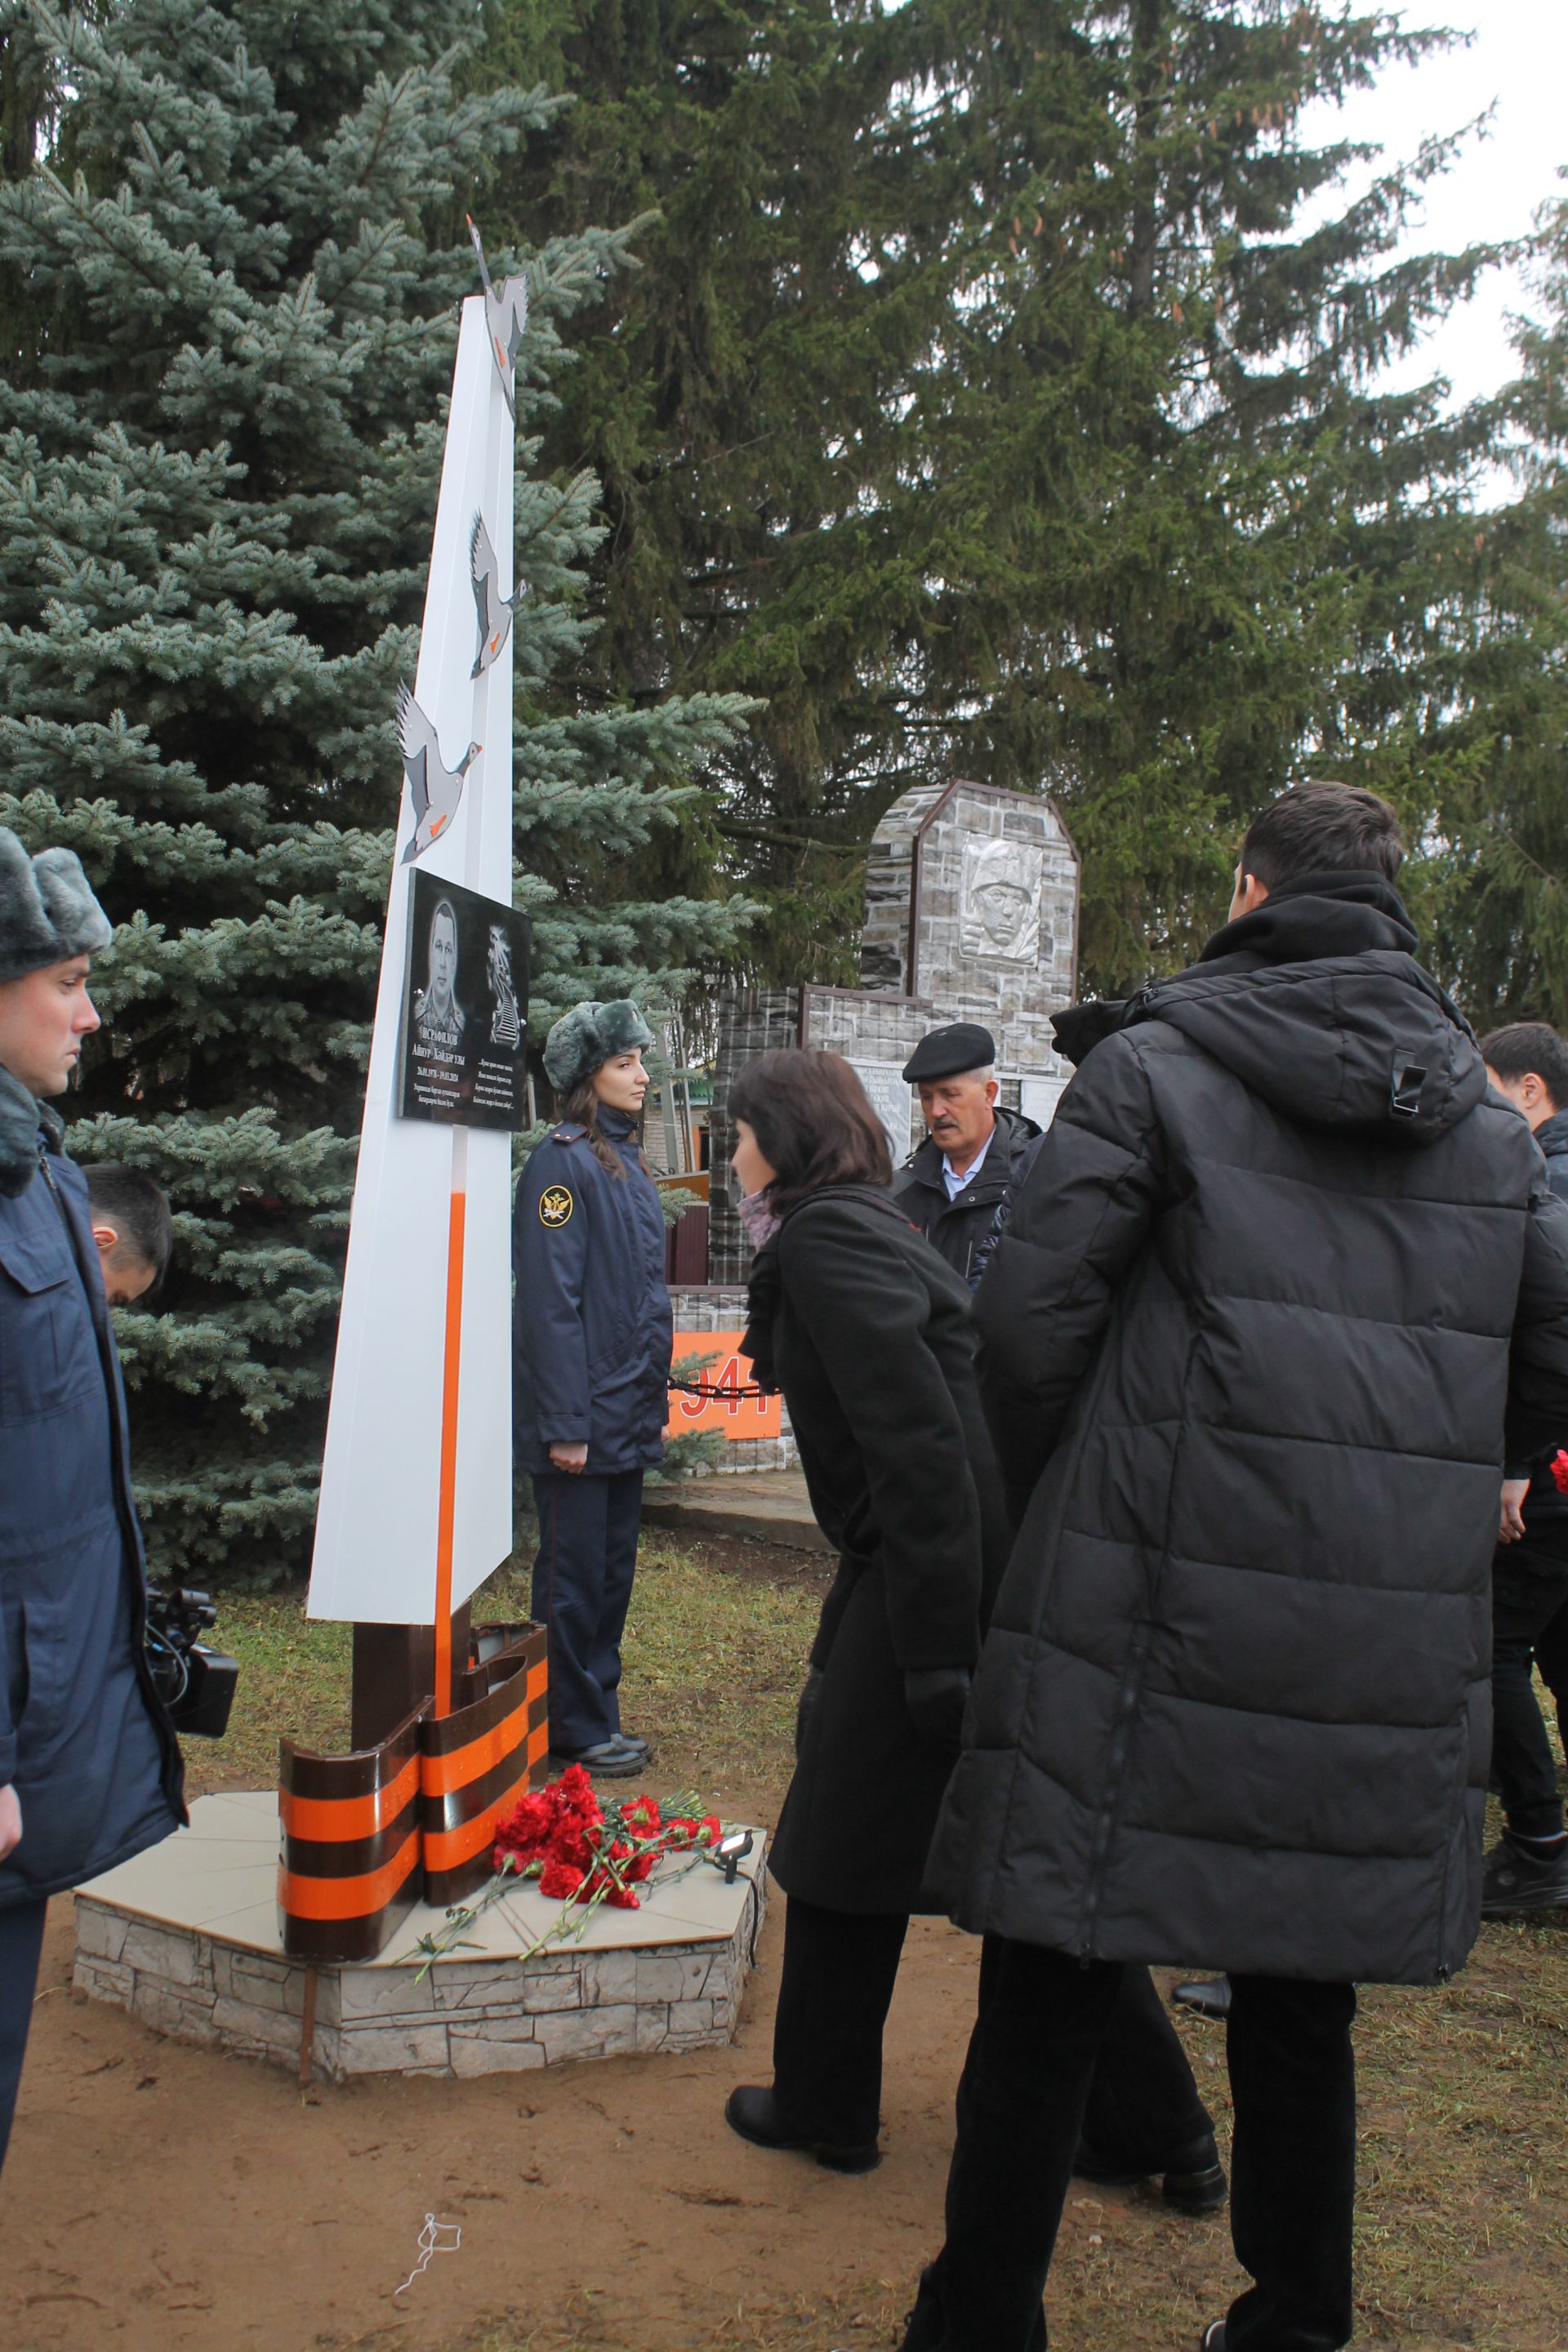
{"x":974,"y":1151}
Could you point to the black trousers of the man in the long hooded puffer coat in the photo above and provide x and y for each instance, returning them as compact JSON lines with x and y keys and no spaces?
{"x":1021,"y":2104}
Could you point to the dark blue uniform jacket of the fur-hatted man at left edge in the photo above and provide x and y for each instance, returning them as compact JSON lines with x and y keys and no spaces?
{"x":83,"y":1732}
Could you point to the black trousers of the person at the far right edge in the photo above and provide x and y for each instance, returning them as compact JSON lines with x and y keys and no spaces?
{"x":1529,"y":1601}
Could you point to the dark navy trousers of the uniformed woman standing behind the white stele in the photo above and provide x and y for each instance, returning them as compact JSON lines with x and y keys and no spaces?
{"x":582,"y":1591}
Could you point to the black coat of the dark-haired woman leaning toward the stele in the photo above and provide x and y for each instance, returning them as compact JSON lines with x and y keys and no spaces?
{"x":871,"y":1339}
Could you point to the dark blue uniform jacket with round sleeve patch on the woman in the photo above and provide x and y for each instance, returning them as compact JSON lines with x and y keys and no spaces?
{"x":591,"y":1318}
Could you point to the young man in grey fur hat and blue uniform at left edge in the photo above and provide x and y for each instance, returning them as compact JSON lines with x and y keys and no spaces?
{"x":88,"y":1758}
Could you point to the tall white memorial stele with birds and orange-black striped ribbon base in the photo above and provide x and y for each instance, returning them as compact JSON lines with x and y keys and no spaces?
{"x":417,"y":1490}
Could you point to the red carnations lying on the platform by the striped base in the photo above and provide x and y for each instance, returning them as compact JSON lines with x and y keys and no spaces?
{"x":589,"y":1852}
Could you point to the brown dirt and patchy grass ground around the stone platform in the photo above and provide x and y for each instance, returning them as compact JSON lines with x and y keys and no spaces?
{"x":168,"y":2200}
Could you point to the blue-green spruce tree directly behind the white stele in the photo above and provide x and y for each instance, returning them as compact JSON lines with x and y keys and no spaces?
{"x":232,"y":250}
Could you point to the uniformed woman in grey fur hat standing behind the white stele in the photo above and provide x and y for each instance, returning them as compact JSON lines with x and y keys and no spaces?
{"x":591,"y":1368}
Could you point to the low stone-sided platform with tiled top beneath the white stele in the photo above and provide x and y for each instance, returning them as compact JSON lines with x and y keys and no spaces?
{"x":187,"y":1939}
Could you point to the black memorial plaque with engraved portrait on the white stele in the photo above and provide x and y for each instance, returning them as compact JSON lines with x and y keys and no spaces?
{"x":464,"y":1010}
